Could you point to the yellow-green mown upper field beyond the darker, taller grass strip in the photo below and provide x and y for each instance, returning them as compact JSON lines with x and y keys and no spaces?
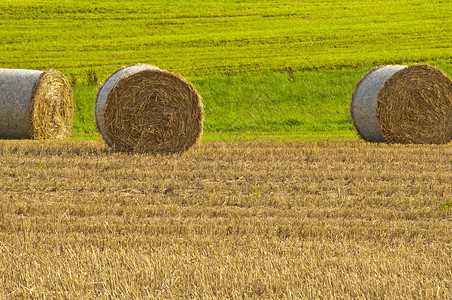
{"x":198,"y":38}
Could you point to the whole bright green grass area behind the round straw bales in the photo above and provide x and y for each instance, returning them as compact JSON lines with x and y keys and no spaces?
{"x":271,"y":66}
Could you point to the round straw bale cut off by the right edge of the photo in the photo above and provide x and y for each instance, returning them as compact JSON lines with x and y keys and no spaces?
{"x":403,"y":104}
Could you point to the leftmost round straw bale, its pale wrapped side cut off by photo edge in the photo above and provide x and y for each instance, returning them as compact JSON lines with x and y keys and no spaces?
{"x":35,"y":105}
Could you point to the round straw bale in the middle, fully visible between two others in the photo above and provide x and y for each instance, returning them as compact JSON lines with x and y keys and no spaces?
{"x":141,"y":108}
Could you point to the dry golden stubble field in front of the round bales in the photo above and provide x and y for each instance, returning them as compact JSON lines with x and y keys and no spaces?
{"x":229,"y":219}
